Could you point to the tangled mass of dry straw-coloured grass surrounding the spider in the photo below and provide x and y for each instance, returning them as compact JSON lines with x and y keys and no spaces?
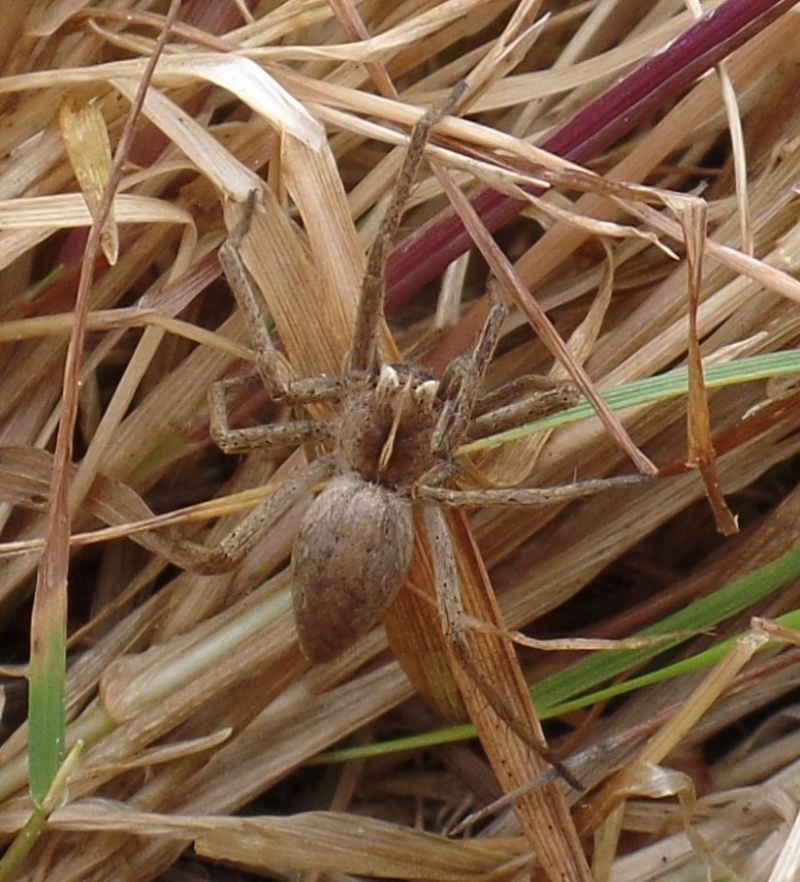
{"x":189,"y":692}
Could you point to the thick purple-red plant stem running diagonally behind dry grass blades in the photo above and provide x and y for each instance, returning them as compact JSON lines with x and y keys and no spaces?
{"x":654,"y":83}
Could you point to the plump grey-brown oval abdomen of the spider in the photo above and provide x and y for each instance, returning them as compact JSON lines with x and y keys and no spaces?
{"x":350,"y":558}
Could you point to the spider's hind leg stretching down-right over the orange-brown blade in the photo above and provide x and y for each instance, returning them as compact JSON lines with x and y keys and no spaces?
{"x":454,"y":624}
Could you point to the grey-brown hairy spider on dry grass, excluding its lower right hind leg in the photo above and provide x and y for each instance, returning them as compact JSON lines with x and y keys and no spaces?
{"x":393,"y":445}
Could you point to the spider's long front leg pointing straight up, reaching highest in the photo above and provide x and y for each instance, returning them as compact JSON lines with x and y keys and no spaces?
{"x":363,"y":350}
